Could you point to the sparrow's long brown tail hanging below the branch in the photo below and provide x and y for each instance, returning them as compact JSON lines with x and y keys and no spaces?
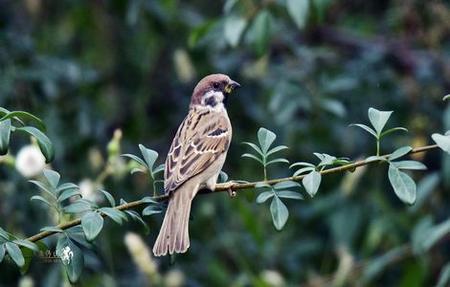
{"x":174,"y":233}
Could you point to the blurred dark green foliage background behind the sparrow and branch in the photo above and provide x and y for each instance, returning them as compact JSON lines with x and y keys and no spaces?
{"x":89,"y":68}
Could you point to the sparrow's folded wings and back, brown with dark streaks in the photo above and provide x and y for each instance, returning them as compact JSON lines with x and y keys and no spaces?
{"x":201,"y":138}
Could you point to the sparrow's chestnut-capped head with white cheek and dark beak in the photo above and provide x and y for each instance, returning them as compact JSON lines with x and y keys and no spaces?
{"x":213,"y":90}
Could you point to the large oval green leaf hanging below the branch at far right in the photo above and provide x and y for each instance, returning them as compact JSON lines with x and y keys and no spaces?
{"x":403,"y":185}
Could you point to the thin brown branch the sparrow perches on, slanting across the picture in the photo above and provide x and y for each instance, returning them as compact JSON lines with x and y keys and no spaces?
{"x":229,"y":186}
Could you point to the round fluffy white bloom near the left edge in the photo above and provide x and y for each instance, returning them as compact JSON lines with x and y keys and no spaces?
{"x":30,"y":161}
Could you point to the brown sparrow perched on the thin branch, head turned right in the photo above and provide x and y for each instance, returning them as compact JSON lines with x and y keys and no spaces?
{"x":195,"y":159}
